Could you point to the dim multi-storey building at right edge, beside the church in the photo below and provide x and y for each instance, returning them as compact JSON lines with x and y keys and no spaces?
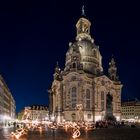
{"x":130,"y":110}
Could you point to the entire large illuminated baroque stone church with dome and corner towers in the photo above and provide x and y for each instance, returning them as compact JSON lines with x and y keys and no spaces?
{"x":82,"y":82}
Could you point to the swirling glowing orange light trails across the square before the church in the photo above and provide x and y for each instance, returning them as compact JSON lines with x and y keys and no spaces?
{"x":39,"y":125}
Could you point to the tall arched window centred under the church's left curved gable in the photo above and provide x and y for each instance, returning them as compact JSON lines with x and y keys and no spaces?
{"x":73,"y":97}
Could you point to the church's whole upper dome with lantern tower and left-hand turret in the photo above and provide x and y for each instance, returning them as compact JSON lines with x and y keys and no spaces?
{"x":83,"y":52}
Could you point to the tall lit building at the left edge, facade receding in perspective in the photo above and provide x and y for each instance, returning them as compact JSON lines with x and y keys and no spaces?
{"x":7,"y":103}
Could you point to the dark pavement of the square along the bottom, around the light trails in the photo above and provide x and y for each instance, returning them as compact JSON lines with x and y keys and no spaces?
{"x":98,"y":134}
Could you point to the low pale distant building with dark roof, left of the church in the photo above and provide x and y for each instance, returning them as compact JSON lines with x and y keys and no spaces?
{"x":34,"y":112}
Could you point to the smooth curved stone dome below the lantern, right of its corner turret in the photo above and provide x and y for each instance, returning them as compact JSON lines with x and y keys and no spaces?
{"x":90,"y":57}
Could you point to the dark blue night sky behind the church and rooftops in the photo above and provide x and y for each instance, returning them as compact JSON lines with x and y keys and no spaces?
{"x":34,"y":35}
